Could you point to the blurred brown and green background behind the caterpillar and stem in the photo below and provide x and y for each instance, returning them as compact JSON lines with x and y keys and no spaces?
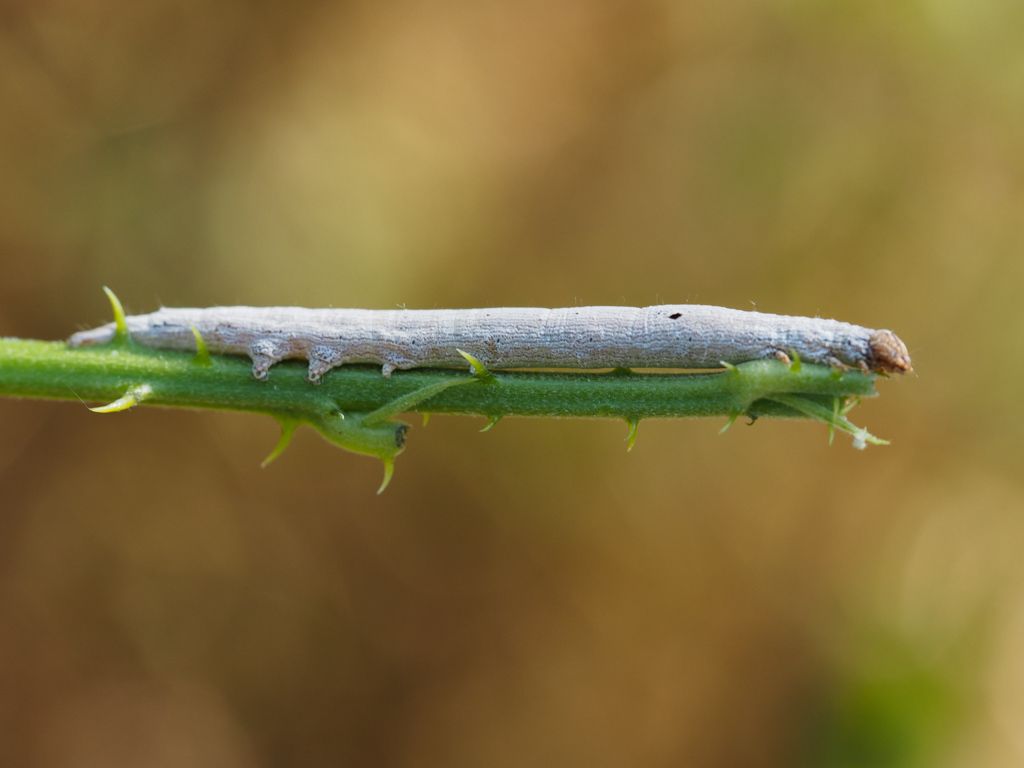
{"x":535,"y":595}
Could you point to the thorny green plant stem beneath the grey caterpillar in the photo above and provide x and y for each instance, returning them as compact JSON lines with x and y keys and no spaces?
{"x":354,"y":406}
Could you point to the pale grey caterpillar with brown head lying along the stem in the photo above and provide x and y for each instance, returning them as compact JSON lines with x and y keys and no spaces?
{"x":686,"y":336}
